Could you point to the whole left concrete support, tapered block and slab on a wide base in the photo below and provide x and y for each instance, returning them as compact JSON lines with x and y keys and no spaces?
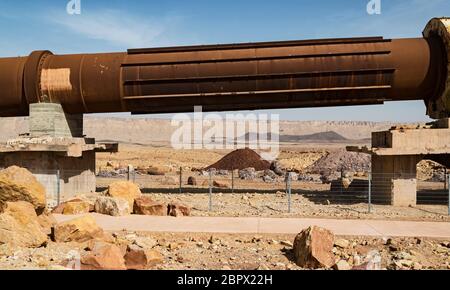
{"x":56,"y":153}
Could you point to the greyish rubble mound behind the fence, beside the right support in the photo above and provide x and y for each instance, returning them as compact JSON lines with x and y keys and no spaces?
{"x":342,"y":160}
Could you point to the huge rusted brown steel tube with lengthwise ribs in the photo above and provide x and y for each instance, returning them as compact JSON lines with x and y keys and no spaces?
{"x":292,"y":74}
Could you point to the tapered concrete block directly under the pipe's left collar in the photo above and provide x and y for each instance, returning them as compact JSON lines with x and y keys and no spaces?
{"x":48,"y":119}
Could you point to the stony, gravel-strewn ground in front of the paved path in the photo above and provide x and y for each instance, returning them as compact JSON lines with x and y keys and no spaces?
{"x":225,"y":252}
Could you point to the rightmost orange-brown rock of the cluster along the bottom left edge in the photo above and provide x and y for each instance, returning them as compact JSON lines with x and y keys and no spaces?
{"x":138,"y":258}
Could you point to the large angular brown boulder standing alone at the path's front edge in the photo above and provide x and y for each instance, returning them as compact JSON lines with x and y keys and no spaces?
{"x":313,"y":248}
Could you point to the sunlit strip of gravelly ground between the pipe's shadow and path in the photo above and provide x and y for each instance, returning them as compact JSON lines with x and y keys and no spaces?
{"x":276,"y":205}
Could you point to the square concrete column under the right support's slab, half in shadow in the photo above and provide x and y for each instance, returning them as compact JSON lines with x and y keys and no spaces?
{"x":394,"y":179}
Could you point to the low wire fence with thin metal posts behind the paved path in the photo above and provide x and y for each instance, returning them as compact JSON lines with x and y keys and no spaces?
{"x":243,"y":193}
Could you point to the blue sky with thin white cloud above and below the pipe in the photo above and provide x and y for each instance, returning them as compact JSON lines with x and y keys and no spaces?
{"x":113,"y":25}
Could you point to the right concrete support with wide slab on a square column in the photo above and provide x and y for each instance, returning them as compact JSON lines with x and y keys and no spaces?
{"x":395,"y":154}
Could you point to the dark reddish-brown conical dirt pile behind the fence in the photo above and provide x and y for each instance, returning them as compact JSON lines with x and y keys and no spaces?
{"x":241,"y":159}
